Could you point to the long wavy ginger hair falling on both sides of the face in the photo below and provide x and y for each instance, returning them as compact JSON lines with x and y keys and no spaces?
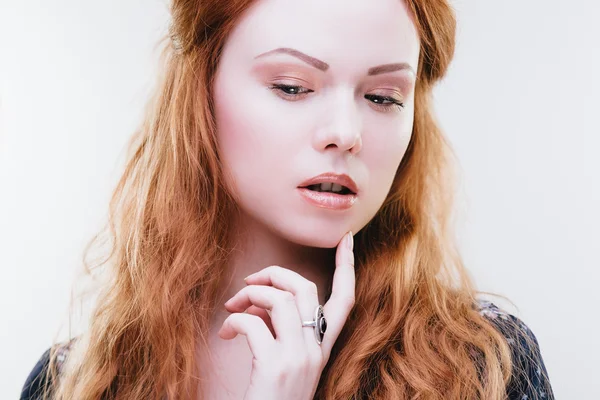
{"x":414,"y":332}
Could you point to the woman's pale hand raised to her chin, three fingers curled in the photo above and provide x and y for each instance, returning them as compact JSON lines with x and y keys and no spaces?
{"x":288,"y":361}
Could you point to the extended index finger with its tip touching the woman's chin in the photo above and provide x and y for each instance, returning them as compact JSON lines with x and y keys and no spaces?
{"x":341,"y":301}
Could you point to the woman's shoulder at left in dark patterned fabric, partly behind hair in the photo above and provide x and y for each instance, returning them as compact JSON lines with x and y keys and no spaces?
{"x":40,"y":377}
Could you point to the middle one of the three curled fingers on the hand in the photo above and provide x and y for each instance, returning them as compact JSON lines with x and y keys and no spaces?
{"x":281,"y":304}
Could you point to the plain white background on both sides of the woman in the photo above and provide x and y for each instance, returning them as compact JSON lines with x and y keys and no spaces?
{"x":517,"y":105}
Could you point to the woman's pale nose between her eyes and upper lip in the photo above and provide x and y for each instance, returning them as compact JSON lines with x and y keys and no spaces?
{"x":342,"y":125}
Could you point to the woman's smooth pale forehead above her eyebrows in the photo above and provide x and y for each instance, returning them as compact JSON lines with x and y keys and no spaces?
{"x":350,"y":35}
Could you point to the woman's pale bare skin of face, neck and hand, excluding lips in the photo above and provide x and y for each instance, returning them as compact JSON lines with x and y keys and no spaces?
{"x":340,"y":113}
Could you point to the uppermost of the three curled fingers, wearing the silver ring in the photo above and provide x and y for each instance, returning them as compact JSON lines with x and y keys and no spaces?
{"x":304,"y":290}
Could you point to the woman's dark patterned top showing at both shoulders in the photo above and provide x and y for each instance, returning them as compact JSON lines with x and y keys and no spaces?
{"x":529,"y":380}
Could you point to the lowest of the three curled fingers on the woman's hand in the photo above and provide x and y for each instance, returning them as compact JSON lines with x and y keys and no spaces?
{"x":260,"y":340}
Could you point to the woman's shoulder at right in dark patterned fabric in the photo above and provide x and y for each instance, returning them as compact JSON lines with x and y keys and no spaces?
{"x":529,"y":377}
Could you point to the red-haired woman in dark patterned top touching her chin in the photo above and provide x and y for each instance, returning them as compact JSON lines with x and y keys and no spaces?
{"x":294,"y":140}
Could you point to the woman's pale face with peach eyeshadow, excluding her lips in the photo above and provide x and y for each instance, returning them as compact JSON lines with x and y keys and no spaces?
{"x":326,"y":104}
